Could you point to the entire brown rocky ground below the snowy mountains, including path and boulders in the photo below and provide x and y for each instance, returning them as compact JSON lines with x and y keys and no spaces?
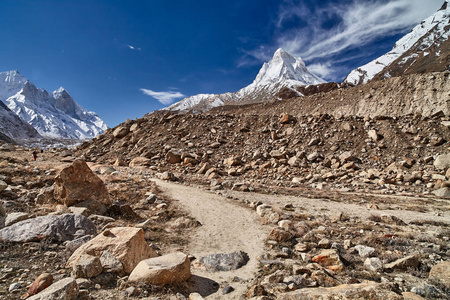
{"x":264,"y":201}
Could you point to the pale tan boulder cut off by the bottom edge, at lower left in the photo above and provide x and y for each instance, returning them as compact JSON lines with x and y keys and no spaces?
{"x":64,"y":289}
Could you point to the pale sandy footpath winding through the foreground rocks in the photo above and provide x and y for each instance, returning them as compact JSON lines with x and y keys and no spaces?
{"x":226,"y":227}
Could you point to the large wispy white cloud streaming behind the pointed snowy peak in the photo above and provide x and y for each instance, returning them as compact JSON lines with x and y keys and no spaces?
{"x":327,"y":31}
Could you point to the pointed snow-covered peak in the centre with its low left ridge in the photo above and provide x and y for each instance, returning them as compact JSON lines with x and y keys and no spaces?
{"x":281,"y":72}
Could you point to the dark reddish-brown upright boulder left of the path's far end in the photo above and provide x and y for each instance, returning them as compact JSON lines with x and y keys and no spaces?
{"x":76,"y":184}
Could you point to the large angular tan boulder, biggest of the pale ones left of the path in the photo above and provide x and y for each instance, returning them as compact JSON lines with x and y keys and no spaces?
{"x":127,"y":244}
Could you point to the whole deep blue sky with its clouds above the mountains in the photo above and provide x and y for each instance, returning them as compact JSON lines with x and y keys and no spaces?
{"x":118,"y":58}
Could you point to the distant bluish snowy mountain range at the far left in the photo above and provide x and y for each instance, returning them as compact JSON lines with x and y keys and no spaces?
{"x":54,"y":115}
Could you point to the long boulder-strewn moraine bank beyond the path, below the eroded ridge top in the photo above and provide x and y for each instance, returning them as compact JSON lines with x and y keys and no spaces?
{"x":389,"y":155}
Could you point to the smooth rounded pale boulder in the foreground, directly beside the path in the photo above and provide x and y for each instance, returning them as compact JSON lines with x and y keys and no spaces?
{"x":166,"y":269}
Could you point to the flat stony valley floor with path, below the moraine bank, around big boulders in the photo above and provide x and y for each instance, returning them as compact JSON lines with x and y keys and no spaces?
{"x":283,"y":231}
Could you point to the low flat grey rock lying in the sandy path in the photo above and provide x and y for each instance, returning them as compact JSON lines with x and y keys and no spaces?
{"x":225,"y":261}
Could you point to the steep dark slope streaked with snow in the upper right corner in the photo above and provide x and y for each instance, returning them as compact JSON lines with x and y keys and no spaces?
{"x":424,"y":49}
